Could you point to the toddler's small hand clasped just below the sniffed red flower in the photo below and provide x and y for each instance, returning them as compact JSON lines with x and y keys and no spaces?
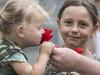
{"x":46,"y":48}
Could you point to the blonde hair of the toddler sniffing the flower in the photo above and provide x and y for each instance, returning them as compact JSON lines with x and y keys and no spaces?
{"x":17,"y":12}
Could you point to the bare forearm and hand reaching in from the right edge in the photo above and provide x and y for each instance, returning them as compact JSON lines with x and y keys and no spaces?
{"x":74,"y":62}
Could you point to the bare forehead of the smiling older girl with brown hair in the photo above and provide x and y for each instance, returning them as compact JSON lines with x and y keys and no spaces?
{"x":76,"y":11}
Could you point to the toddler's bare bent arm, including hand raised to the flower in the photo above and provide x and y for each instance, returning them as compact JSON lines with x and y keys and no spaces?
{"x":39,"y":67}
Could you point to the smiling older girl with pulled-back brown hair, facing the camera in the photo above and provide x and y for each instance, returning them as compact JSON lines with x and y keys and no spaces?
{"x":77,"y":23}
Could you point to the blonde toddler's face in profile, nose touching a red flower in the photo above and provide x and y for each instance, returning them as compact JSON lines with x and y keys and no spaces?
{"x":33,"y":32}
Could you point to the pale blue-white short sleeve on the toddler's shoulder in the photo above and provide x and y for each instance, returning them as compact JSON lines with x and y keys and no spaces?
{"x":18,"y":57}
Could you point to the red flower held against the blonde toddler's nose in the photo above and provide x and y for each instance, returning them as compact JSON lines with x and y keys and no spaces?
{"x":47,"y":35}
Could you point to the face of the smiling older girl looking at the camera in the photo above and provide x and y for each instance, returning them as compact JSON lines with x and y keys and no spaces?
{"x":76,"y":26}
